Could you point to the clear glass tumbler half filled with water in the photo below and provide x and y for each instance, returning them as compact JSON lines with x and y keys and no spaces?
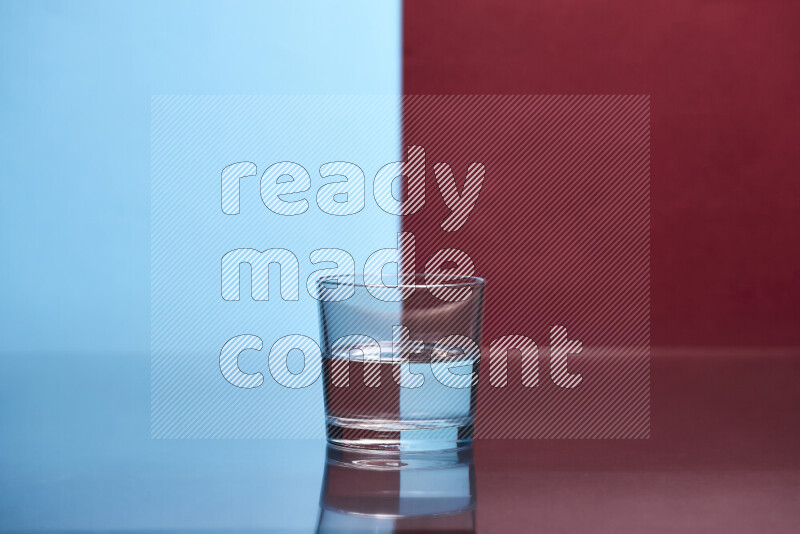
{"x":400,"y":360}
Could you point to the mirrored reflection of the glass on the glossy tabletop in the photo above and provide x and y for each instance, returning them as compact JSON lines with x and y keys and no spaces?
{"x":391,"y":492}
